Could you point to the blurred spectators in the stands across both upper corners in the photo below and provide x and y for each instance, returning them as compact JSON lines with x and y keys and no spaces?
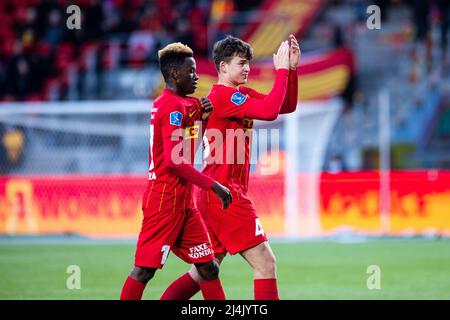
{"x":38,"y":50}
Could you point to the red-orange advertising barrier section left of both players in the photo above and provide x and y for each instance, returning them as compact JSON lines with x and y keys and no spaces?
{"x":88,"y":205}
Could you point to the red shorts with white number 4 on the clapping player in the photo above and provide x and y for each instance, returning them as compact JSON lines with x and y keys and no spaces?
{"x":232,"y":230}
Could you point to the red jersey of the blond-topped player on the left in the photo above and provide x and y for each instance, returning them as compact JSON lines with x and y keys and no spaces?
{"x":174,"y":121}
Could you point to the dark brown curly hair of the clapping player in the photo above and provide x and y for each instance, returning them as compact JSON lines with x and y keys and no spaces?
{"x":226,"y":49}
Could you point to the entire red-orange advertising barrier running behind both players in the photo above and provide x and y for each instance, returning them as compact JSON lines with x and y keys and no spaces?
{"x":111,"y":205}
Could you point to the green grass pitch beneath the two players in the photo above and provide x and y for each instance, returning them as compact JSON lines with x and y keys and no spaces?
{"x":410,"y":269}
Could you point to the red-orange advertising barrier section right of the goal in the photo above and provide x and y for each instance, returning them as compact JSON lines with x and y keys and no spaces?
{"x":419,"y":202}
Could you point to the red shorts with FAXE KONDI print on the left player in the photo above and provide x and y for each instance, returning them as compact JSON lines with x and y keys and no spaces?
{"x":180,"y":231}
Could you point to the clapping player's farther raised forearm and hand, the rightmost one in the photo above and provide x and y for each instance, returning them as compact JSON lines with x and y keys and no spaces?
{"x":291,"y":99}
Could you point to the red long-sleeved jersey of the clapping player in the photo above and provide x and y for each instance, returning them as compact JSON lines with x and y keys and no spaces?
{"x":228,"y":158}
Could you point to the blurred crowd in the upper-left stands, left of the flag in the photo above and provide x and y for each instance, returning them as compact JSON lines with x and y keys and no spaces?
{"x":37,"y":48}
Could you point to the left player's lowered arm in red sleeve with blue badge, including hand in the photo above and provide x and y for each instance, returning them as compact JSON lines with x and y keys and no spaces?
{"x":172,"y":136}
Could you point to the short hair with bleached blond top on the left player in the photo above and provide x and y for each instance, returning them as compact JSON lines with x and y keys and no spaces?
{"x":171,"y":56}
